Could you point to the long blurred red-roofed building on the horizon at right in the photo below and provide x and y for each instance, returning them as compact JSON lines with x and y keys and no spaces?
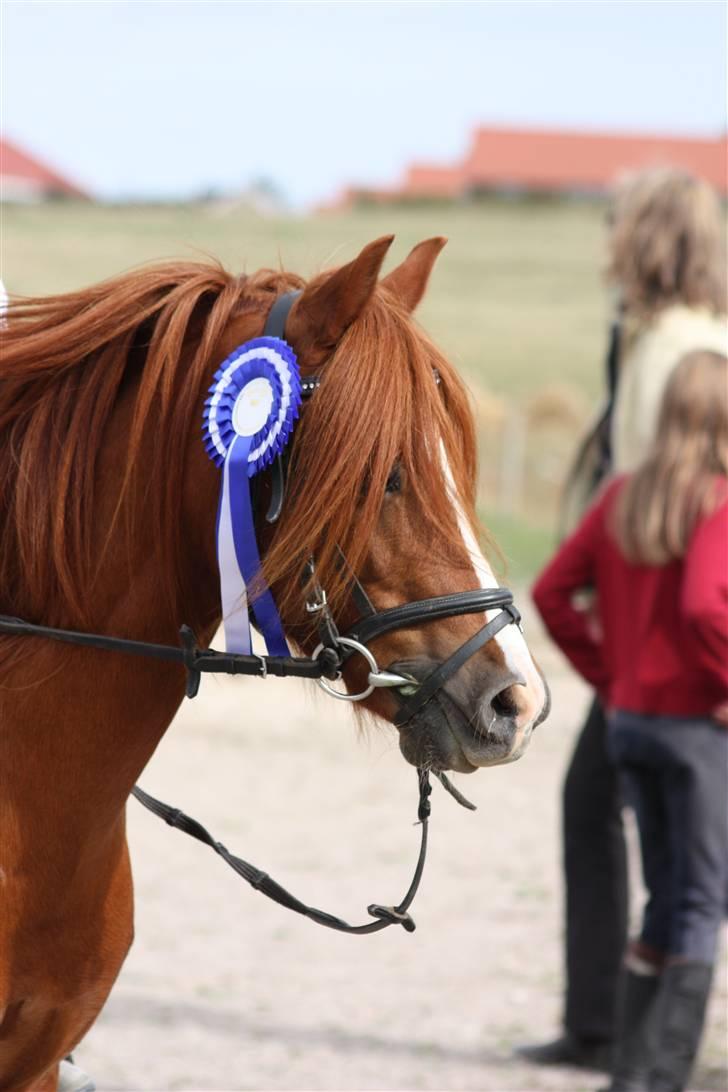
{"x":551,"y":162}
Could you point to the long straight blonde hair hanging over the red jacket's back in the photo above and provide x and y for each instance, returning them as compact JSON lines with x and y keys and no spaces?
{"x":678,"y":484}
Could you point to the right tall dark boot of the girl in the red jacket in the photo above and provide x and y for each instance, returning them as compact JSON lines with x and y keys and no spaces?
{"x":681,"y":1007}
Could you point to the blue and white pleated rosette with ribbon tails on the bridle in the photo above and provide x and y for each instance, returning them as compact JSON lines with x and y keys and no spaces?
{"x":249,"y":417}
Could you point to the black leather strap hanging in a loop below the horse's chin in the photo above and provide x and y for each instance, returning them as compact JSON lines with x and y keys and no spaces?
{"x":261,"y":882}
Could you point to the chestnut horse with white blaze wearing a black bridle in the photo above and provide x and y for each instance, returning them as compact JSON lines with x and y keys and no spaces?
{"x":108,"y":525}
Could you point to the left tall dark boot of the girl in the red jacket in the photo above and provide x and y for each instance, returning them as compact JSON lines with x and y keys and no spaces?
{"x":635,"y":1048}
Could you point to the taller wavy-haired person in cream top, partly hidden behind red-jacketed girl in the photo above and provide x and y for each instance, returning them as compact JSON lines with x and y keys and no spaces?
{"x":666,"y":264}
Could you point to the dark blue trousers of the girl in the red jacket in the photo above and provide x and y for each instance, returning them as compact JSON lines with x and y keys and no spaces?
{"x":675,"y":775}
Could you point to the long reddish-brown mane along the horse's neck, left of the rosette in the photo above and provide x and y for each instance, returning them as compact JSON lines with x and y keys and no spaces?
{"x":67,"y":361}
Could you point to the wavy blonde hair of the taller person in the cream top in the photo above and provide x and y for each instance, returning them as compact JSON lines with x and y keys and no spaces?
{"x":667,"y":244}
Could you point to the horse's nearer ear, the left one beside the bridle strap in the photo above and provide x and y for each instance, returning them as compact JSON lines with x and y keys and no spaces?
{"x":330,"y":305}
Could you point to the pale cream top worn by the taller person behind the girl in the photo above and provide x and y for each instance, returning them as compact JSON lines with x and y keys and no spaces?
{"x":647,"y":365}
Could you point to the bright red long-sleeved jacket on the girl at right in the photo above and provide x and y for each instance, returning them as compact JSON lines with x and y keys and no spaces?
{"x":664,"y":644}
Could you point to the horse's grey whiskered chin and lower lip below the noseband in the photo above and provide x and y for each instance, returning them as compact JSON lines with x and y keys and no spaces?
{"x":441,"y":738}
